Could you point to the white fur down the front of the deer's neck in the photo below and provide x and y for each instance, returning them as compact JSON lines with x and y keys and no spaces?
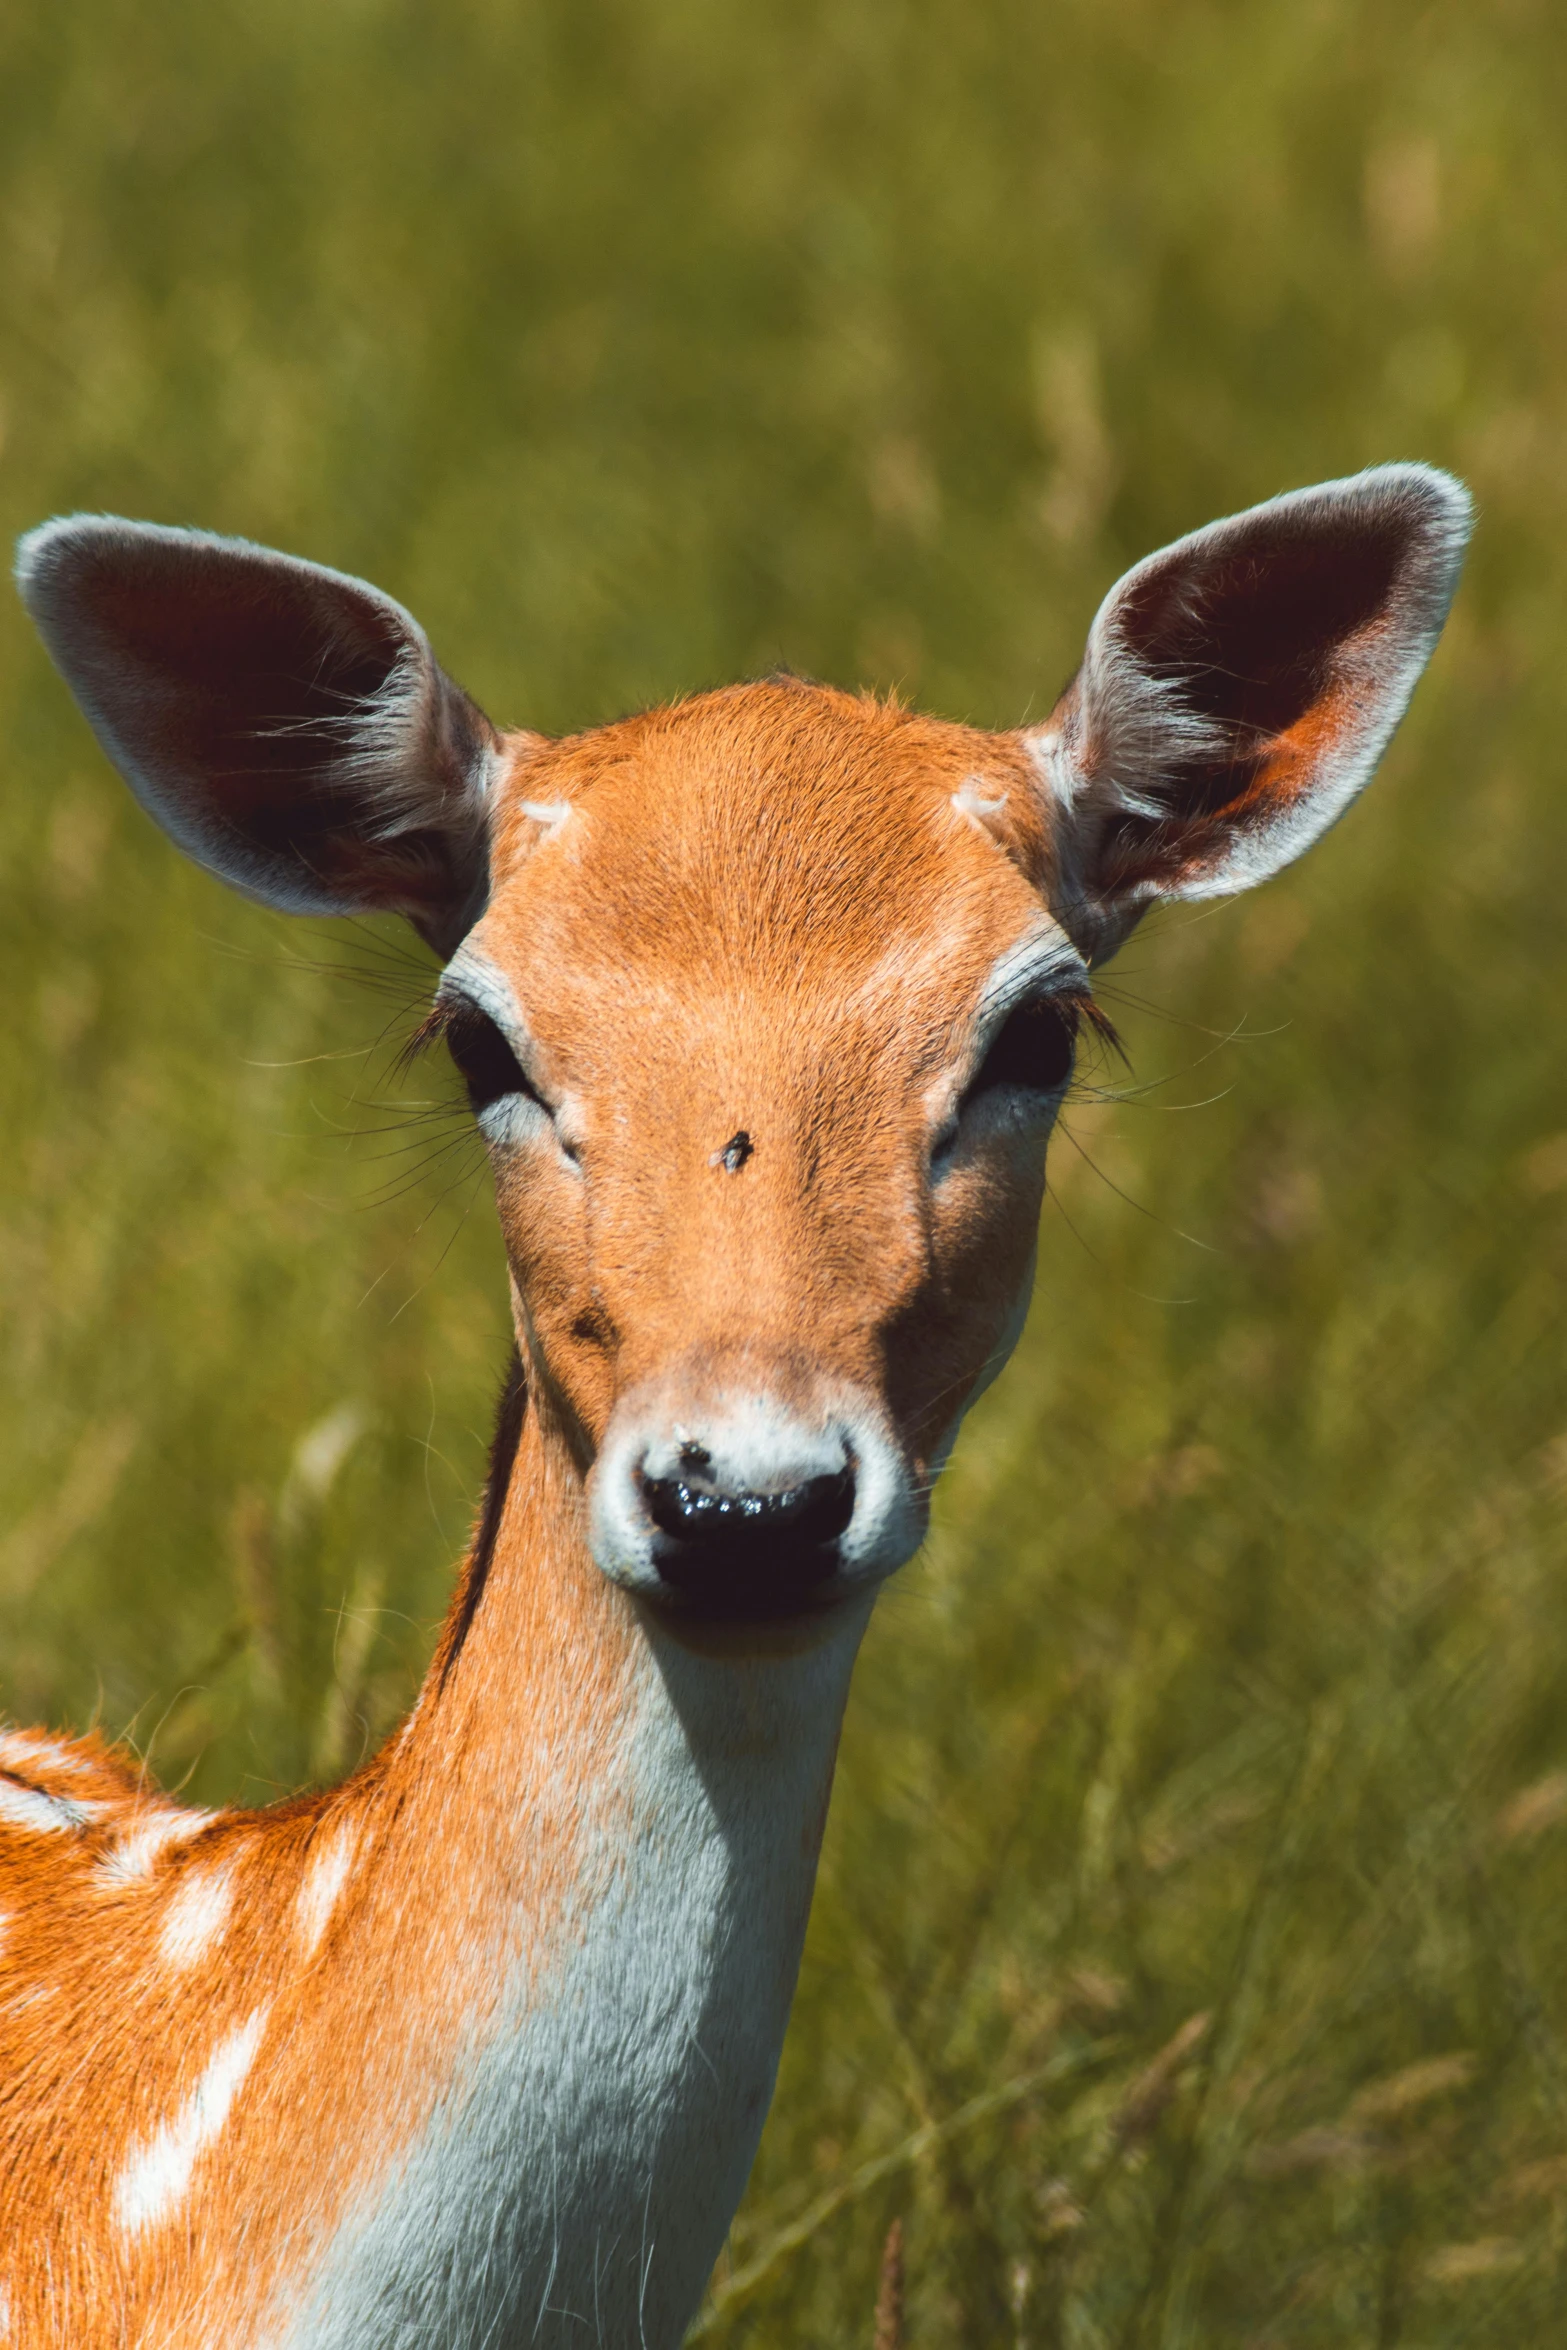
{"x":633,"y":2074}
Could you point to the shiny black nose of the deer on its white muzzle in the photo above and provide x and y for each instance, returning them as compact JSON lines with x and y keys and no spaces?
{"x":748,"y":1555}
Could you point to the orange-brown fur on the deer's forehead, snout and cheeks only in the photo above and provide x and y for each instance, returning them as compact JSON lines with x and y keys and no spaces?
{"x":805,"y":981}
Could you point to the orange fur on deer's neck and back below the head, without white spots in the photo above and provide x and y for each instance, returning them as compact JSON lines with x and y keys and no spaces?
{"x":100,"y":2036}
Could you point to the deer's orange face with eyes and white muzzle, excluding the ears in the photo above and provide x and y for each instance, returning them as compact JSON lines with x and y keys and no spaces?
{"x":765,"y":1028}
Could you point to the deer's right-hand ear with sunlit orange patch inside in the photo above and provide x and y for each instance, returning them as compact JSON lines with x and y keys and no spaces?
{"x":1239,"y":690}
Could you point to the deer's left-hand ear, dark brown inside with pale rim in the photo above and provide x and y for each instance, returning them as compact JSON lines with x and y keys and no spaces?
{"x":285,"y":725}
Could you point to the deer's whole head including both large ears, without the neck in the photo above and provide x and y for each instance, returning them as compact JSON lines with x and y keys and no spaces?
{"x":765,"y":1002}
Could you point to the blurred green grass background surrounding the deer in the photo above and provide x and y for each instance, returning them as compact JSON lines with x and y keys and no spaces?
{"x":1192,"y":1949}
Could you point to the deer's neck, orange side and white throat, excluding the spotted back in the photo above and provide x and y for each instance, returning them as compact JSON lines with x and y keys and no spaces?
{"x":600,"y":1846}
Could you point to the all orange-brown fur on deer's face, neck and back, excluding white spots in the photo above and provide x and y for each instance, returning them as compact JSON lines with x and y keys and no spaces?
{"x":690,"y":857}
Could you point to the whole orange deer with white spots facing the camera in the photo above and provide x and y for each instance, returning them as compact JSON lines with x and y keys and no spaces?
{"x":765,"y":1002}
